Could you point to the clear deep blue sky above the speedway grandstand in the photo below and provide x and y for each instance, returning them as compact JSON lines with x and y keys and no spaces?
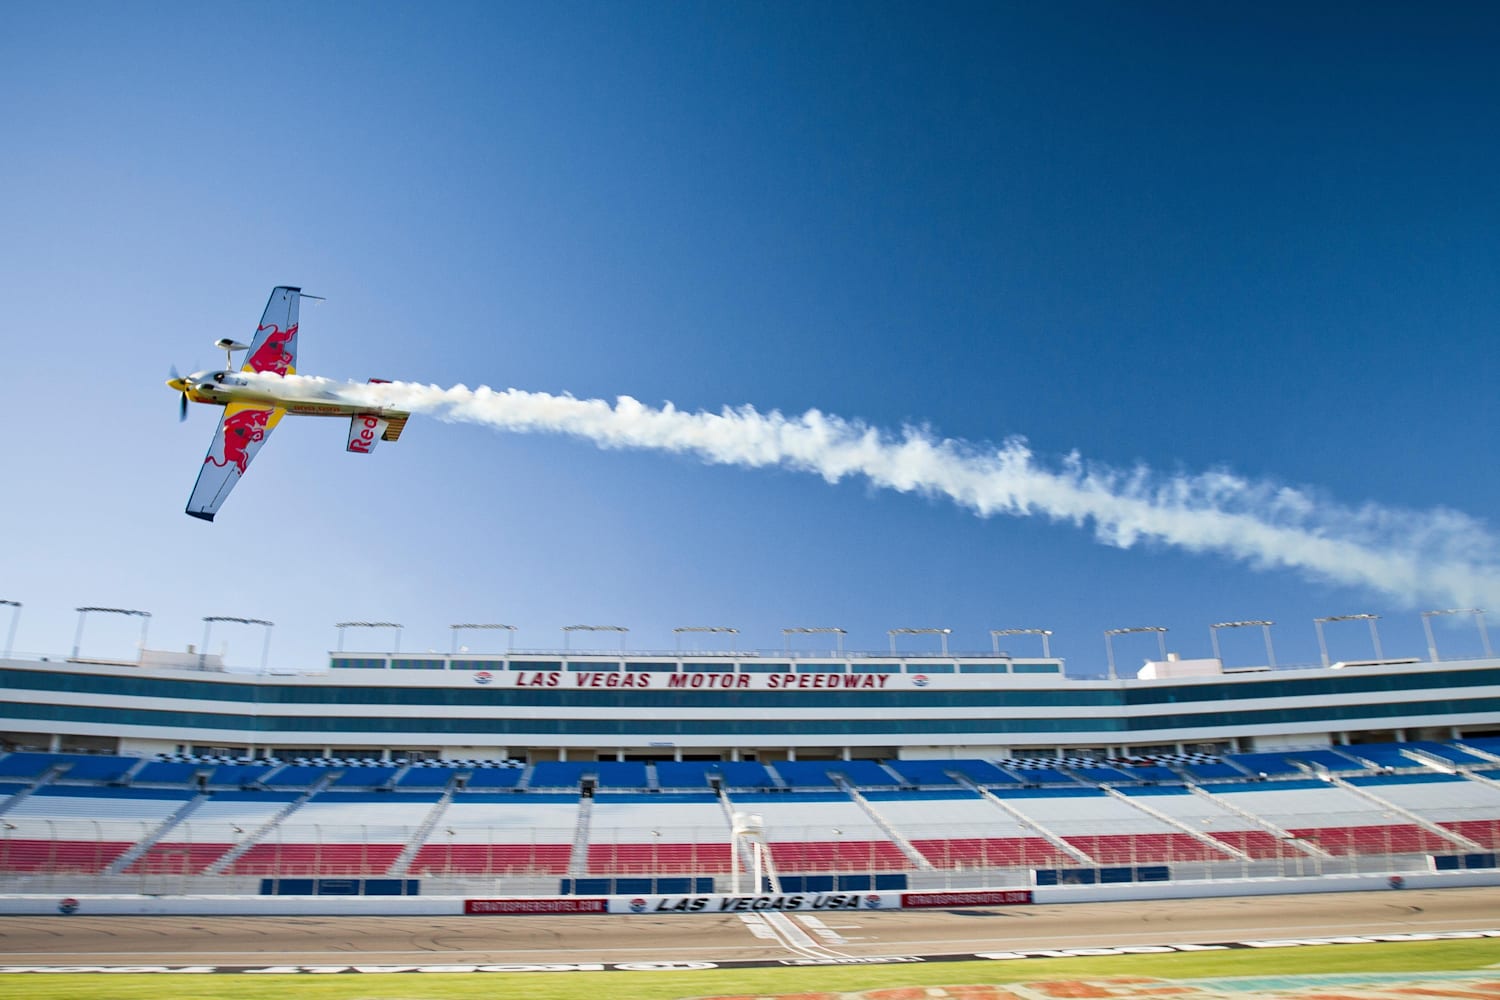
{"x":1174,"y":239}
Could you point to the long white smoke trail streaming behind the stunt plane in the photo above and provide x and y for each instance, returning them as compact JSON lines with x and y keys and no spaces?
{"x":1438,"y":557}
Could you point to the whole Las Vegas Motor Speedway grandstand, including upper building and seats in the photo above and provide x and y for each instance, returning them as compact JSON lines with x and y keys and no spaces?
{"x":542,"y":773}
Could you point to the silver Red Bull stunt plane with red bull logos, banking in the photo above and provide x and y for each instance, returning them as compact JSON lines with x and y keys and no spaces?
{"x":254,"y":404}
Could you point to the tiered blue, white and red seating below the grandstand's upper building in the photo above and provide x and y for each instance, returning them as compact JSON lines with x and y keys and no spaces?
{"x":335,"y":818}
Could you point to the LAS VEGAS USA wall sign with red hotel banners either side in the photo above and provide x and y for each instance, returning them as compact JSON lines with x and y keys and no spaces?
{"x":779,"y":902}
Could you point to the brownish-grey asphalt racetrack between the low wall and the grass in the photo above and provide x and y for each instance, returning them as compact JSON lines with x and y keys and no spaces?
{"x":766,"y":936}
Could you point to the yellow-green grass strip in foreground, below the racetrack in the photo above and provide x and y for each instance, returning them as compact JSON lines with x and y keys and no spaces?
{"x":1406,"y":957}
